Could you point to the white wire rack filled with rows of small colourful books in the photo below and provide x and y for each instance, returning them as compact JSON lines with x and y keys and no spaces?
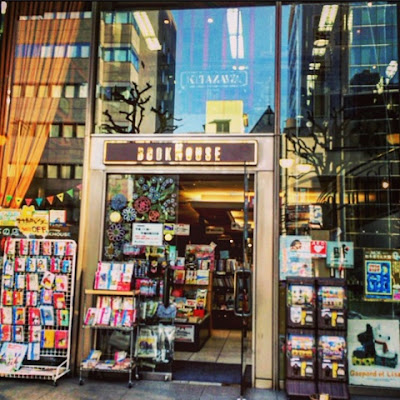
{"x":37,"y":291}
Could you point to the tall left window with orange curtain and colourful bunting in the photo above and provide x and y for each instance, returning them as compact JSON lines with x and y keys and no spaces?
{"x":38,"y":104}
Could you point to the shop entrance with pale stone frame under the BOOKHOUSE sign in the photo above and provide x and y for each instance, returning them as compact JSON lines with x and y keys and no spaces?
{"x":203,"y":210}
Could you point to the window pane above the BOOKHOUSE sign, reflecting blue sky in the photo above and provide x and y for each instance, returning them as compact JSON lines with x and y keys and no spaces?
{"x":186,"y":71}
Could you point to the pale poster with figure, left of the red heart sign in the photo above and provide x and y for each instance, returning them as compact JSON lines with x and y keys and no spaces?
{"x":295,"y":256}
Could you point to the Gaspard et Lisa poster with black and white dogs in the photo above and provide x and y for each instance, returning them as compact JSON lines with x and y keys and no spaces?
{"x":374,"y":352}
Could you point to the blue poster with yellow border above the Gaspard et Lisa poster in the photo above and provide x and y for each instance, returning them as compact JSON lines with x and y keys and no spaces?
{"x":382,"y":274}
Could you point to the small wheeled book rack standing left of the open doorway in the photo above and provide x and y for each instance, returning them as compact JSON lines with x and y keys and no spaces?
{"x":112,"y":332}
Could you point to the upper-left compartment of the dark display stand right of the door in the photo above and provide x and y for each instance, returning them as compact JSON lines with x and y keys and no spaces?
{"x":301,"y":302}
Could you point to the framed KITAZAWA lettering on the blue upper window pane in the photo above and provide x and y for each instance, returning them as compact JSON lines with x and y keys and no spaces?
{"x":196,"y":79}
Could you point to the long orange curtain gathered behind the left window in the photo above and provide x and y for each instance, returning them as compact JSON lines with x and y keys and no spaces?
{"x":25,"y":125}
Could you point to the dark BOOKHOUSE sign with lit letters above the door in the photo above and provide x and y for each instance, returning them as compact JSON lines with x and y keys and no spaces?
{"x":179,"y":152}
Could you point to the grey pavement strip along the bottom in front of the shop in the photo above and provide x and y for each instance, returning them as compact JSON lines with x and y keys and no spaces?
{"x":69,"y":389}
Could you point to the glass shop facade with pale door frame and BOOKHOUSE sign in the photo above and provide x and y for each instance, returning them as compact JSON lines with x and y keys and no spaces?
{"x":277,"y":122}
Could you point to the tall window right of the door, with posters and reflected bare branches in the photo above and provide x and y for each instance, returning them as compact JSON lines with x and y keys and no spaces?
{"x":340,"y":167}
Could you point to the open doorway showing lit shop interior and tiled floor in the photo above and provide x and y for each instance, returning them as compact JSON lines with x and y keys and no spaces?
{"x":213,"y":206}
